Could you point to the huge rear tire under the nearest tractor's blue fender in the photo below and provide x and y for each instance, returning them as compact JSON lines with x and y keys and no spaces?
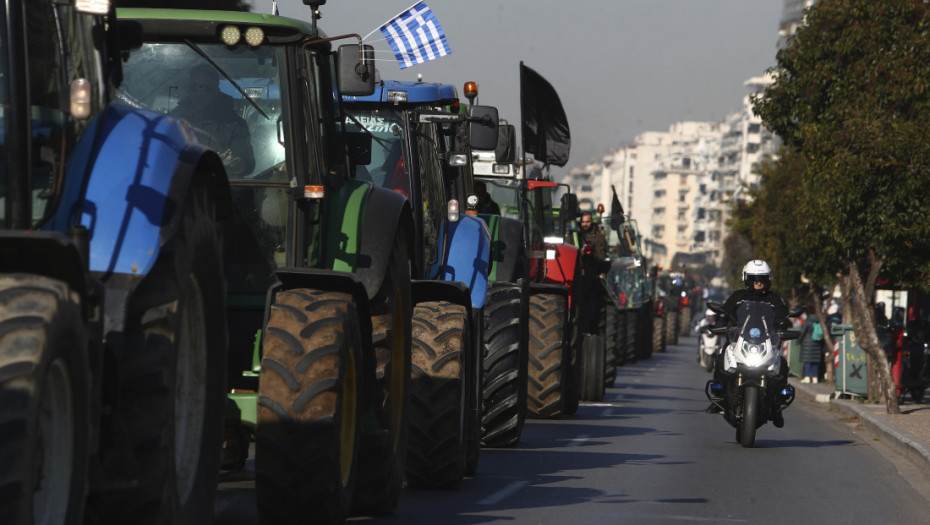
{"x":172,"y":376}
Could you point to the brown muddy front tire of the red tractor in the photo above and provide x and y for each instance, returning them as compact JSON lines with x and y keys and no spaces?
{"x":548,"y":356}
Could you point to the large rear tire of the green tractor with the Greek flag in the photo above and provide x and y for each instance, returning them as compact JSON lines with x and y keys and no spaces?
{"x":382,"y":456}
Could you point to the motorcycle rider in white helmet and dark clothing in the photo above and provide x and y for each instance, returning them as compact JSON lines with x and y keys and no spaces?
{"x":757,"y":277}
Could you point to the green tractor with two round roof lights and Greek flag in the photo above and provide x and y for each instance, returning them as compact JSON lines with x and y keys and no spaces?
{"x":317,"y":261}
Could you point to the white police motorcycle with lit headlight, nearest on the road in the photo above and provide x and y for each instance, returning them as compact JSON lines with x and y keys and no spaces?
{"x":752,"y":359}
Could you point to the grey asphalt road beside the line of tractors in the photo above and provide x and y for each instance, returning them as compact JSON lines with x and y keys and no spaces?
{"x":650,"y":454}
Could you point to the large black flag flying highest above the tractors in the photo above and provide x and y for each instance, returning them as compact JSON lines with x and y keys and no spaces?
{"x":545,"y":128}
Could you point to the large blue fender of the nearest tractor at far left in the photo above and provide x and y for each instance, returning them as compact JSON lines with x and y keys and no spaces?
{"x":126,"y":181}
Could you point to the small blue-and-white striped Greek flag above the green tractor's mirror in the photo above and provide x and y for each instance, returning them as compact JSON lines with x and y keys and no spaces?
{"x":415,"y":36}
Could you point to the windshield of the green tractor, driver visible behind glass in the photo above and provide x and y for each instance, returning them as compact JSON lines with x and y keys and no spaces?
{"x":234,"y":104}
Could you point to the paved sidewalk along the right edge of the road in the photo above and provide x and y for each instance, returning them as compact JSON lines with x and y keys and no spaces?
{"x":907,"y":433}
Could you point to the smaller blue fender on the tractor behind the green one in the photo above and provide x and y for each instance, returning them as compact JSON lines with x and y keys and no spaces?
{"x":466,"y":256}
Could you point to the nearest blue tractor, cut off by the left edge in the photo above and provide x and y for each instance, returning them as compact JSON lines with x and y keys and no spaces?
{"x":112,"y":291}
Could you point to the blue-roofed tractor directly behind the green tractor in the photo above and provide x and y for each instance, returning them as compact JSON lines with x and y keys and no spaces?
{"x":405,"y":137}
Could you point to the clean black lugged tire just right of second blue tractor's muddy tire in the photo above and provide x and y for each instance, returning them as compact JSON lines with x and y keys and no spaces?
{"x":504,"y":366}
